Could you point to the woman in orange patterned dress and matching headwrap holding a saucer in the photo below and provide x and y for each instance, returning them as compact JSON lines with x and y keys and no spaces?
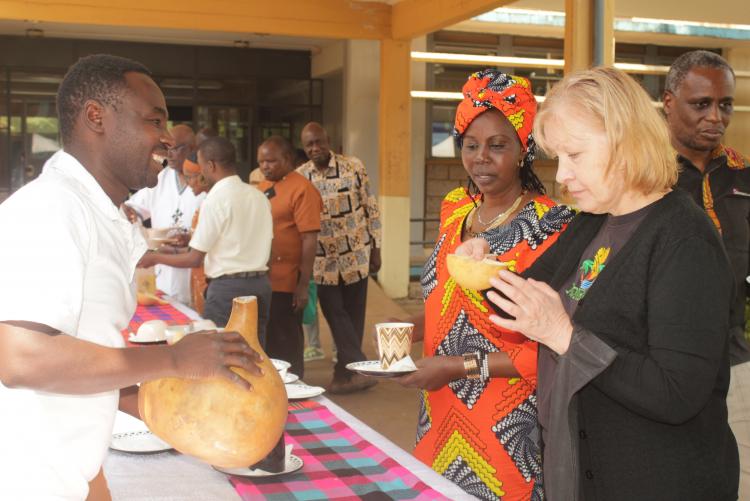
{"x":478,"y":421}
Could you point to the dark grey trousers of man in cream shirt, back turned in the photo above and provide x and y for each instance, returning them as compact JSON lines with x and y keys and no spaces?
{"x":221,"y":293}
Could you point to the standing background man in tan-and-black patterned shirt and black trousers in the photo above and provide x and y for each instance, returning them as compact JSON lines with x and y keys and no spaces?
{"x":348,"y":249}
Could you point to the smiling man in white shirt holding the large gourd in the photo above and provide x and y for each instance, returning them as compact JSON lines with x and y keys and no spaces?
{"x":68,"y":262}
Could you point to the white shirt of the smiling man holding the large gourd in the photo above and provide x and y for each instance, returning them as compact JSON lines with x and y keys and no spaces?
{"x":67,"y":261}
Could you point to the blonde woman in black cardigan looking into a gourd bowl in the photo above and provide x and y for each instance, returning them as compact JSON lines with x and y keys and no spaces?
{"x":629,"y":307}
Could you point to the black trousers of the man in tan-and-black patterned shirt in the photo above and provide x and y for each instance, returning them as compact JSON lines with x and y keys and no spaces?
{"x":344,"y":308}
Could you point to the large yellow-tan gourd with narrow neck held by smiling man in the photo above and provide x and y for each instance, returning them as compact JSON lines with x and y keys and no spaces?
{"x":213,"y":419}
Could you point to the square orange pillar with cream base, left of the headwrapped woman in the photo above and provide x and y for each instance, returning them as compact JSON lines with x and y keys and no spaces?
{"x":394,"y":138}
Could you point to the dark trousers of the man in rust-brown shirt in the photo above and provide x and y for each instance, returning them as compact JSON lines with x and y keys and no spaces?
{"x":284,"y":337}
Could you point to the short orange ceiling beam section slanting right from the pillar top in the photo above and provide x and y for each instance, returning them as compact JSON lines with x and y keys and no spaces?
{"x":414,"y":18}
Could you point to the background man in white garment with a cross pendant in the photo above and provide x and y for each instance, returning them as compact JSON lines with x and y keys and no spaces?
{"x":171,"y":204}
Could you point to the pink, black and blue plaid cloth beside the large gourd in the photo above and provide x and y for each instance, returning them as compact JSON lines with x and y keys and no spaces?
{"x":339,"y":465}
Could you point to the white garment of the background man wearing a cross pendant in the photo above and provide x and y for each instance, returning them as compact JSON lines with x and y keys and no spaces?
{"x":168,"y":206}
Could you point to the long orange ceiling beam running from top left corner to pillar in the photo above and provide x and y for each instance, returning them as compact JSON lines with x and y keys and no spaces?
{"x":342,"y":19}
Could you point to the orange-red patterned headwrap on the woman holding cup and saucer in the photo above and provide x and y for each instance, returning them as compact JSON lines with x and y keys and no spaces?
{"x":491,"y":89}
